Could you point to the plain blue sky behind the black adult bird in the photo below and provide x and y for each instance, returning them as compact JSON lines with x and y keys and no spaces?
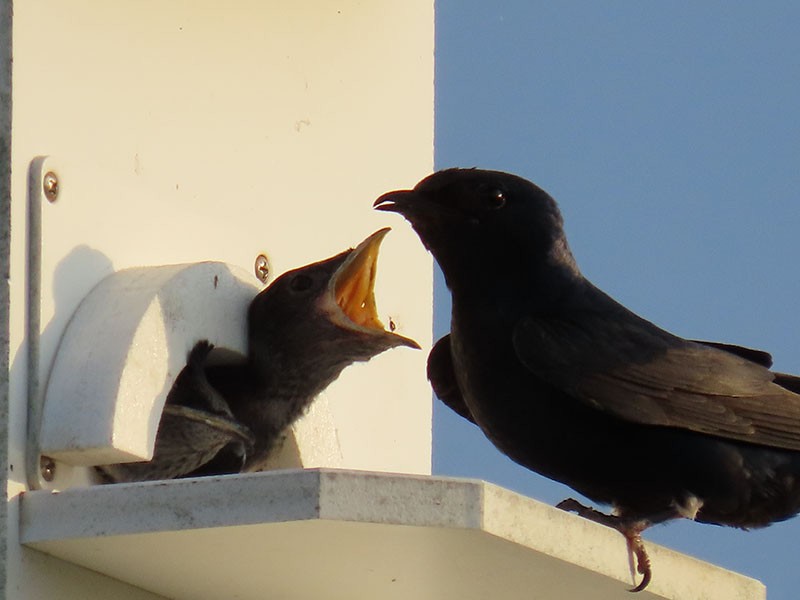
{"x":669,"y":133}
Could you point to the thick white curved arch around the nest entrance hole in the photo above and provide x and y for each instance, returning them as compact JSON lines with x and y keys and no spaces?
{"x":123,"y":349}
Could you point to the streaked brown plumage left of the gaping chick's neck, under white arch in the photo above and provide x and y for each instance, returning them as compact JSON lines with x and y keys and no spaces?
{"x":195,"y":425}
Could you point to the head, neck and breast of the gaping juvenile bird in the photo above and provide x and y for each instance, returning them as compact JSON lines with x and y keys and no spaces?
{"x":304,"y":329}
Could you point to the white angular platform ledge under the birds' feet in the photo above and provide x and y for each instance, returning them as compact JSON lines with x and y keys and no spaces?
{"x":351,"y":535}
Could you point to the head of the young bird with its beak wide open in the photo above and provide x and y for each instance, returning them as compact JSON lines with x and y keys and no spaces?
{"x":323,"y":315}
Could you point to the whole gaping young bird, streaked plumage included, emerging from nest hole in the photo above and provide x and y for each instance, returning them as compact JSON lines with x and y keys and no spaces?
{"x":303,"y":330}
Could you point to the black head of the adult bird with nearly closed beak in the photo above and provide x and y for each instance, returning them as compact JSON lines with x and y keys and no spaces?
{"x":484,"y":219}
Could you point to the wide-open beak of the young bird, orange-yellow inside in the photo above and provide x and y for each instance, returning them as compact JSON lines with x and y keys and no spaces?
{"x":353,"y":288}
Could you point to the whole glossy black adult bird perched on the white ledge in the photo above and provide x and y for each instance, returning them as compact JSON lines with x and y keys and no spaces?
{"x":569,"y":383}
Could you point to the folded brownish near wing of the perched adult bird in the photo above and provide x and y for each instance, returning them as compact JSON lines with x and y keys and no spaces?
{"x":627,"y":366}
